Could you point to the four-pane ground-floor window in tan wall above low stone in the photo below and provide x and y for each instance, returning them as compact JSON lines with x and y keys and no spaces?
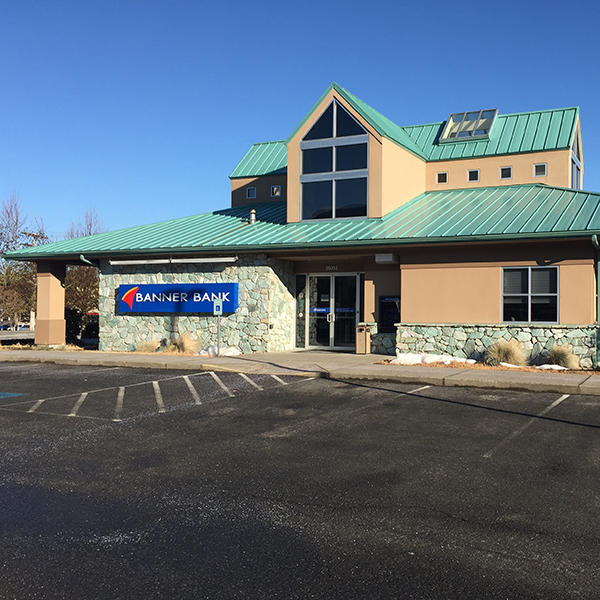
{"x":530,"y":294}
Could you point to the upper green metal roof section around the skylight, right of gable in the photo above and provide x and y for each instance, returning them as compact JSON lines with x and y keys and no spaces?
{"x":511,"y":134}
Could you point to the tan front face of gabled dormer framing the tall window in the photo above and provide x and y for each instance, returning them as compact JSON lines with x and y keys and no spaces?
{"x":293,"y":149}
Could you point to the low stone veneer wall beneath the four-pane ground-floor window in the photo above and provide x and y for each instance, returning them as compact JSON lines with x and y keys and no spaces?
{"x":470,"y":341}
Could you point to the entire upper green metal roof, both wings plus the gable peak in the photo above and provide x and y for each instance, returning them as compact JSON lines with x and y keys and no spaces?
{"x":511,"y":134}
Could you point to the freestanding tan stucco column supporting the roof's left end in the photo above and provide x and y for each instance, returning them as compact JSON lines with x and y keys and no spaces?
{"x":50,"y":323}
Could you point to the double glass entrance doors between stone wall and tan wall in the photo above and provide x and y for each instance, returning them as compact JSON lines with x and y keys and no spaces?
{"x":332,"y":311}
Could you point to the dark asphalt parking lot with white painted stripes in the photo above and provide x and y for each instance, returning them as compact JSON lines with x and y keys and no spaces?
{"x":133,"y":483}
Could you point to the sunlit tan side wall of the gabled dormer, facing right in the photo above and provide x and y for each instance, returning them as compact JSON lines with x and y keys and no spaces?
{"x":403,"y":177}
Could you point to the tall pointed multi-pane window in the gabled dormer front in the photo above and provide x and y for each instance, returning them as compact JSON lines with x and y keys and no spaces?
{"x":334,"y":167}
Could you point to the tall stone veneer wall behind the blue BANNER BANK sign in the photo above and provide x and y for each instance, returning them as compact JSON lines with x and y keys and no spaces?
{"x":263,"y":322}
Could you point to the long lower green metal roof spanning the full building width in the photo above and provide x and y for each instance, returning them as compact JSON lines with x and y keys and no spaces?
{"x":478,"y":214}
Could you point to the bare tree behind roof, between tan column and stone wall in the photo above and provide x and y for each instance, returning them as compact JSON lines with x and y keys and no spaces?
{"x":81,"y":282}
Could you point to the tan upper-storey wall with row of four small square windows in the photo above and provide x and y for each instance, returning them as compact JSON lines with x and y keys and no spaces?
{"x":558,"y":161}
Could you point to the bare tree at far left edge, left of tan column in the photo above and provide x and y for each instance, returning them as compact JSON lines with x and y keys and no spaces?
{"x":17,"y":279}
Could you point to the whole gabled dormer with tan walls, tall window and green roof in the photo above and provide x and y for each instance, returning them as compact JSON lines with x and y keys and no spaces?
{"x":342,"y":165}
